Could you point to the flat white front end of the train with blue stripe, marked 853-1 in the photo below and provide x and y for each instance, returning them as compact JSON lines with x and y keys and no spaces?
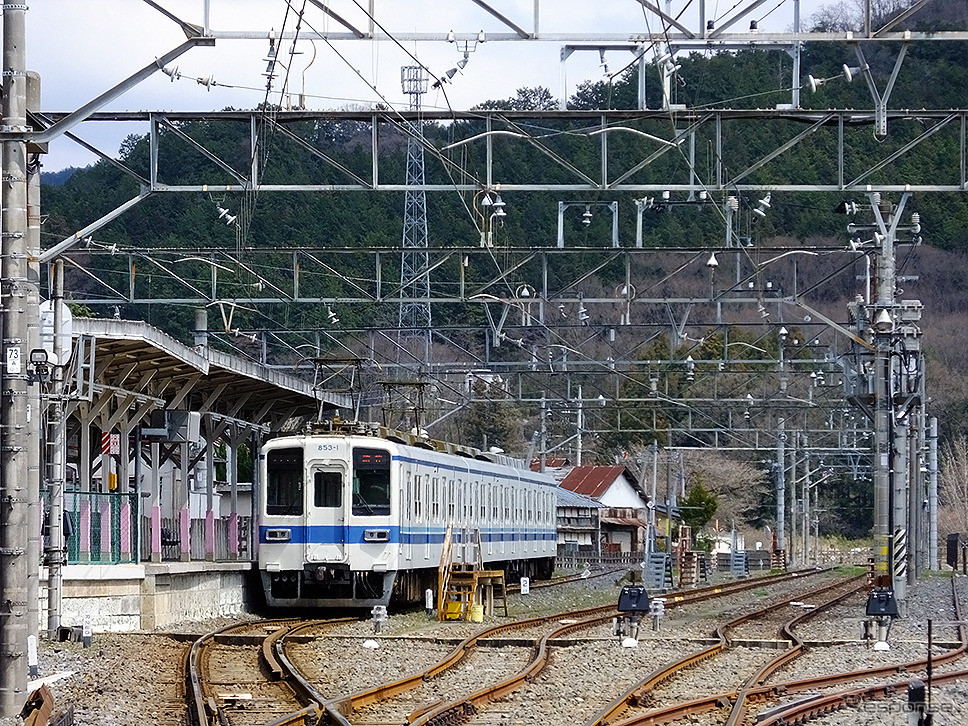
{"x":329,"y":529}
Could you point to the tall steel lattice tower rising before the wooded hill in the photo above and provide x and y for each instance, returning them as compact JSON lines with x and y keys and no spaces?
{"x":414,"y":316}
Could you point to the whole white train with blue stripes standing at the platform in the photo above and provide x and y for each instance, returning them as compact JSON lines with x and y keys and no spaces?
{"x":356,"y":517}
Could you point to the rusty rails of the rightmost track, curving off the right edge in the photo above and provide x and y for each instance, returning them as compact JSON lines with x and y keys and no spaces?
{"x":804,"y":710}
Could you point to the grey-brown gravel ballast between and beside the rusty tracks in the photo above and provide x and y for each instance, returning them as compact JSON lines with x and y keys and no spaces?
{"x":124,"y":675}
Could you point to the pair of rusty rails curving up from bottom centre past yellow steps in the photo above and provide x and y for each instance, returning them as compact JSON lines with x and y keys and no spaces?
{"x":463,"y":707}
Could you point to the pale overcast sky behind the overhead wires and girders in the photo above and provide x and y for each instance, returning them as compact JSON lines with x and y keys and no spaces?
{"x":84,"y":47}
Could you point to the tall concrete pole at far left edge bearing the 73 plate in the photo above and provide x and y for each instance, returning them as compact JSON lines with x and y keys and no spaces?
{"x":15,"y":287}
